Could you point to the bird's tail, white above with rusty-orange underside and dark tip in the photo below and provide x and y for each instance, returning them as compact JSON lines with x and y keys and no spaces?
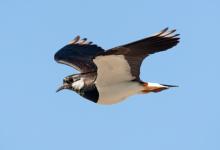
{"x":155,"y":87}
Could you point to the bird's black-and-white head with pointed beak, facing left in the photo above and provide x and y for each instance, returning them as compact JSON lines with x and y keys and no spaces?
{"x":71,"y":82}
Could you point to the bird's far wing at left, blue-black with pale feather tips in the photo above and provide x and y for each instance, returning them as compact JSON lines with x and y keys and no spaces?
{"x":78,"y":54}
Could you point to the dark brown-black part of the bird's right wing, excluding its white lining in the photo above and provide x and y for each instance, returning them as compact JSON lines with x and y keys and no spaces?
{"x":136,"y":51}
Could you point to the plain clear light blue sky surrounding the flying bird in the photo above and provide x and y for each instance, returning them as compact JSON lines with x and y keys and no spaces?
{"x":34,"y":117}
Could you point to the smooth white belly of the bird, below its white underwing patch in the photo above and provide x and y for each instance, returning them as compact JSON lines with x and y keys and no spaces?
{"x":115,"y":93}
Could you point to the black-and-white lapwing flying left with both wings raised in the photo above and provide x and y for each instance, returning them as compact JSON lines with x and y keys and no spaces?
{"x":108,"y":77}
